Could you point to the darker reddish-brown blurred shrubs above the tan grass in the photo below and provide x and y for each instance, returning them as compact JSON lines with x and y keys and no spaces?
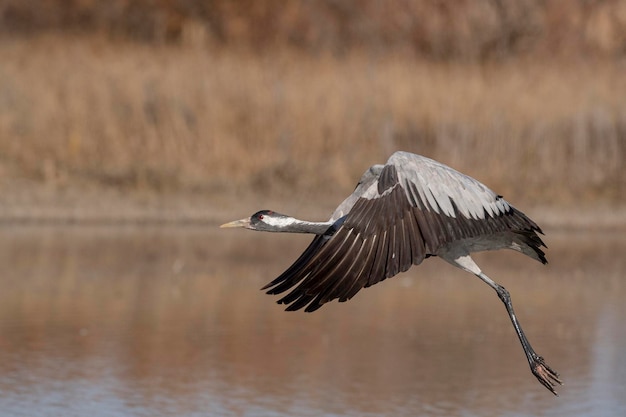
{"x":440,"y":29}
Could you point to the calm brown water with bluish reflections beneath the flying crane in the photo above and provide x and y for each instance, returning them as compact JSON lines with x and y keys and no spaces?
{"x":100,"y":321}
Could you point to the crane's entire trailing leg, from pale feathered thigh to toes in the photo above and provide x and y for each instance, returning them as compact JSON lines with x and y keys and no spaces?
{"x":546,"y":375}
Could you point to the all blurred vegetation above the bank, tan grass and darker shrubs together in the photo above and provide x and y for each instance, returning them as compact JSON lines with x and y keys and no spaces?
{"x":278,"y":97}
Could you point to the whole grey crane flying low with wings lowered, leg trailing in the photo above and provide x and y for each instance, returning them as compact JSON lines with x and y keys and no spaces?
{"x":399,"y":214}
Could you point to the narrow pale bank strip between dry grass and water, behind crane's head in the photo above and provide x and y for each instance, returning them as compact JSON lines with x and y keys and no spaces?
{"x":48,"y":205}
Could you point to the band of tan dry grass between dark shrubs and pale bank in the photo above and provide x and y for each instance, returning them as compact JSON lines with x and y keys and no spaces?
{"x":76,"y":111}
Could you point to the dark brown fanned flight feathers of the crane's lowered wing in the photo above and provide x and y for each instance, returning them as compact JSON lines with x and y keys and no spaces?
{"x":376,"y":241}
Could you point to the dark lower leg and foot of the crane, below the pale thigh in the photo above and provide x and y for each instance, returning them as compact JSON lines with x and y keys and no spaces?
{"x":546,"y":375}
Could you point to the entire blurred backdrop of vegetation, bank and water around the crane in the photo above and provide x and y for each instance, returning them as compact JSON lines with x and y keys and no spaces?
{"x":130,"y":129}
